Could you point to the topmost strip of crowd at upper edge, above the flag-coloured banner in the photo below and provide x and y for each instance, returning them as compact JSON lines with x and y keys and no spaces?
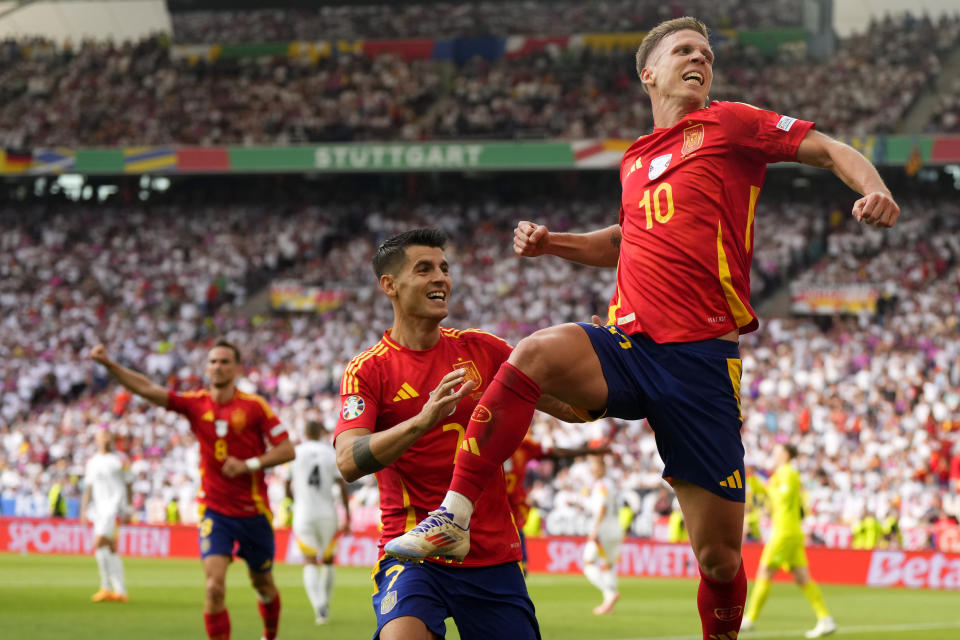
{"x":462,"y":19}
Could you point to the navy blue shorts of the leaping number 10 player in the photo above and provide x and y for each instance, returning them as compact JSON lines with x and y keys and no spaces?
{"x":689,"y":392}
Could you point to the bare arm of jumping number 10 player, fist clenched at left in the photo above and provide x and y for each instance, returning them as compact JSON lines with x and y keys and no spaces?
{"x":599,"y":248}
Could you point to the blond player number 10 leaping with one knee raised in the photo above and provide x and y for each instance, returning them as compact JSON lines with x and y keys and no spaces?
{"x":682,"y":247}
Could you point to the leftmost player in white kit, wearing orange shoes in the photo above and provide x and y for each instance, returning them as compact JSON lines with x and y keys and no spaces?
{"x":107,"y":482}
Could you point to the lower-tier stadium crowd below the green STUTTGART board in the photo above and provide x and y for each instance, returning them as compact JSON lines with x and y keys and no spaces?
{"x":872,"y":401}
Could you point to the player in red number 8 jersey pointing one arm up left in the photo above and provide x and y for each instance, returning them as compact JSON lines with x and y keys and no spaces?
{"x":231,"y":427}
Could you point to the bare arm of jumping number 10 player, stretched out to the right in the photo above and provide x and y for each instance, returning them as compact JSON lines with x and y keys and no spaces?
{"x":877,"y":206}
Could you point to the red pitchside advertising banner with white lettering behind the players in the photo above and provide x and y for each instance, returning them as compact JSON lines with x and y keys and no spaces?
{"x":552,"y":554}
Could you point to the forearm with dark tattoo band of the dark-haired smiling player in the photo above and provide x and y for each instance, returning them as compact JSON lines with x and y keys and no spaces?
{"x":360,"y":452}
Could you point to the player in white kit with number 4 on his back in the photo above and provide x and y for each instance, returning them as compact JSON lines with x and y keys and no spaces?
{"x":315,"y":521}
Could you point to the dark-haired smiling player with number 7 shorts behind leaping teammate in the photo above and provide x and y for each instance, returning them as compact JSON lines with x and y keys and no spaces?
{"x":405,"y":404}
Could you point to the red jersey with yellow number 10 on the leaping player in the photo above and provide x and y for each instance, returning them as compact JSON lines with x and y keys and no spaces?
{"x":686,"y":214}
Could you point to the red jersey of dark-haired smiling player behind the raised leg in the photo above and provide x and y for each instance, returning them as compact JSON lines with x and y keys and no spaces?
{"x":388,"y":384}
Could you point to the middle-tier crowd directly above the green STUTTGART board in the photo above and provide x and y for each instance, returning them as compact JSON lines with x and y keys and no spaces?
{"x":102,"y":94}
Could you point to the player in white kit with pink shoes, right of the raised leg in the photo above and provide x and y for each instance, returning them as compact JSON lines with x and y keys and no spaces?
{"x":601,"y":554}
